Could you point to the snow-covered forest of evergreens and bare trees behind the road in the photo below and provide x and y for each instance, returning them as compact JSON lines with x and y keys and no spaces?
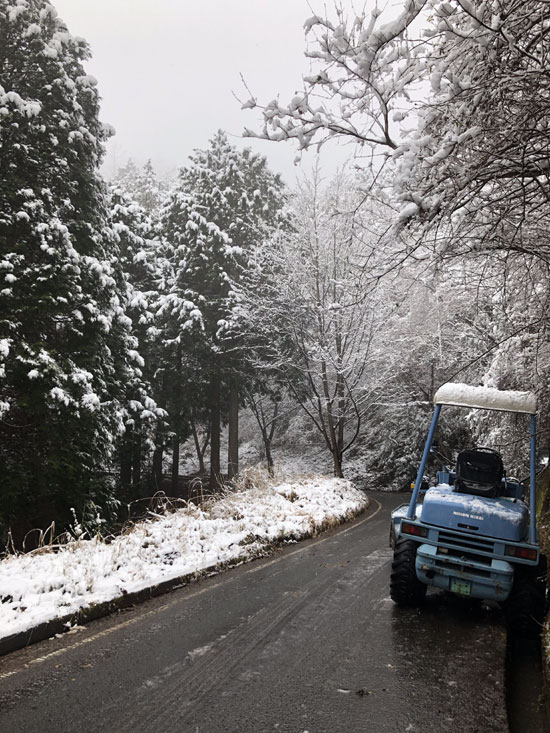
{"x":152,"y":329}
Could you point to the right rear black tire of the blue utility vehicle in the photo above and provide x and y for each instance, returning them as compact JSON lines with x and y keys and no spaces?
{"x":526,"y":605}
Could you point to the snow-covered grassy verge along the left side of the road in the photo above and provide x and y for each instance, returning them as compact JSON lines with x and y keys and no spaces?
{"x":53,"y":582}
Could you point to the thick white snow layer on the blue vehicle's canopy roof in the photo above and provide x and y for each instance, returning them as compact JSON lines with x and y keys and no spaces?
{"x":487,"y":398}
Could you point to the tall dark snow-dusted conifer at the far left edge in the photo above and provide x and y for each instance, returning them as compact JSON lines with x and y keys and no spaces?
{"x":66,"y":348}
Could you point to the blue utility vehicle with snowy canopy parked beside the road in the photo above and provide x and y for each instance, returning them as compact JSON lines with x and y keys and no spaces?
{"x":474,"y":534}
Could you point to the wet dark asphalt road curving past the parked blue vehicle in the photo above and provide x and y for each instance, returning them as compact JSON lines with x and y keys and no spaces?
{"x":307,"y":640}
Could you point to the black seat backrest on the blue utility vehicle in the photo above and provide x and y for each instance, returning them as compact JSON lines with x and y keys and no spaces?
{"x":479,"y":471}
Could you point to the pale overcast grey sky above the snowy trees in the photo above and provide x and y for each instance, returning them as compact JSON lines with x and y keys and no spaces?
{"x":167,"y":71}
